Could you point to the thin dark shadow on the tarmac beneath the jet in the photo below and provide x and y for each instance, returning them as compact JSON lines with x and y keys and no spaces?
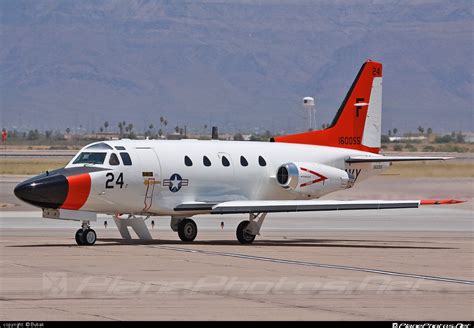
{"x":316,"y":243}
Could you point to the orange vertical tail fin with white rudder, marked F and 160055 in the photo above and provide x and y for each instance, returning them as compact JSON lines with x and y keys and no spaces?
{"x":357,"y":124}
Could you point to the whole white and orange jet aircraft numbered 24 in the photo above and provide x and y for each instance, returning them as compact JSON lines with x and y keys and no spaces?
{"x":136,"y":179}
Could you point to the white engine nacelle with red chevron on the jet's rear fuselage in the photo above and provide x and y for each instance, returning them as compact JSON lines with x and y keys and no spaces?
{"x":313,"y":179}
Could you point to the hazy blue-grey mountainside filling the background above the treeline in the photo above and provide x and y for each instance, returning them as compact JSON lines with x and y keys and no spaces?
{"x":240,"y":65}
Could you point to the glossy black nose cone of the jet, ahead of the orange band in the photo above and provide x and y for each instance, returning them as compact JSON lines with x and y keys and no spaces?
{"x":43,"y":191}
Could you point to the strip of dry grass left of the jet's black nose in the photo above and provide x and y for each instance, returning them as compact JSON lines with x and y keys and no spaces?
{"x":29,"y":166}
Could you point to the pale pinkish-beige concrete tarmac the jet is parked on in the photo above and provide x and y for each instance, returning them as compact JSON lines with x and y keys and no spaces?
{"x":408,"y":264}
